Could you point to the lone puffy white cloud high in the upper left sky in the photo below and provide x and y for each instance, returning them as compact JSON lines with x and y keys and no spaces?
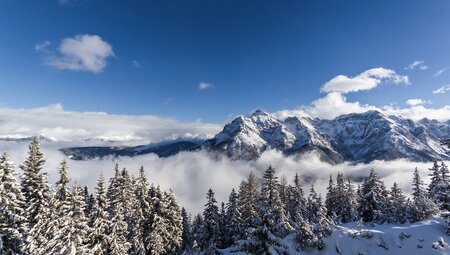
{"x":81,"y":53}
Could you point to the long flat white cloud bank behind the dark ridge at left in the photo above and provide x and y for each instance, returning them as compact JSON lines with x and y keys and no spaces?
{"x":58,"y":124}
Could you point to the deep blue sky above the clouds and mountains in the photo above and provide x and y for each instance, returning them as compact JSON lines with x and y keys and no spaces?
{"x":251,"y":54}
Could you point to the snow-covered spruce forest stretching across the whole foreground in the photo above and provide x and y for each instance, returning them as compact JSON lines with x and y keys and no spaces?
{"x":128,"y":215}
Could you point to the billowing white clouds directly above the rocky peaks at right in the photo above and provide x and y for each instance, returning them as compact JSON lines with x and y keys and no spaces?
{"x":335,"y":103}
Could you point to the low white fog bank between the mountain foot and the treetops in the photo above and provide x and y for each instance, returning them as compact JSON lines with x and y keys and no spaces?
{"x":191,"y":174}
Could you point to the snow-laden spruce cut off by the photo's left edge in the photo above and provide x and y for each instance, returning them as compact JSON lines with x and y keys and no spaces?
{"x":12,"y":215}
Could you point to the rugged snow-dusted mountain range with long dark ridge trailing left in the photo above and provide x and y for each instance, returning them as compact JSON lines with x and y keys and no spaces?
{"x":357,"y":137}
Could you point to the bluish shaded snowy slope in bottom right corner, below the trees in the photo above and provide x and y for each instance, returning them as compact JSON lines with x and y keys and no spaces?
{"x":425,"y":237}
